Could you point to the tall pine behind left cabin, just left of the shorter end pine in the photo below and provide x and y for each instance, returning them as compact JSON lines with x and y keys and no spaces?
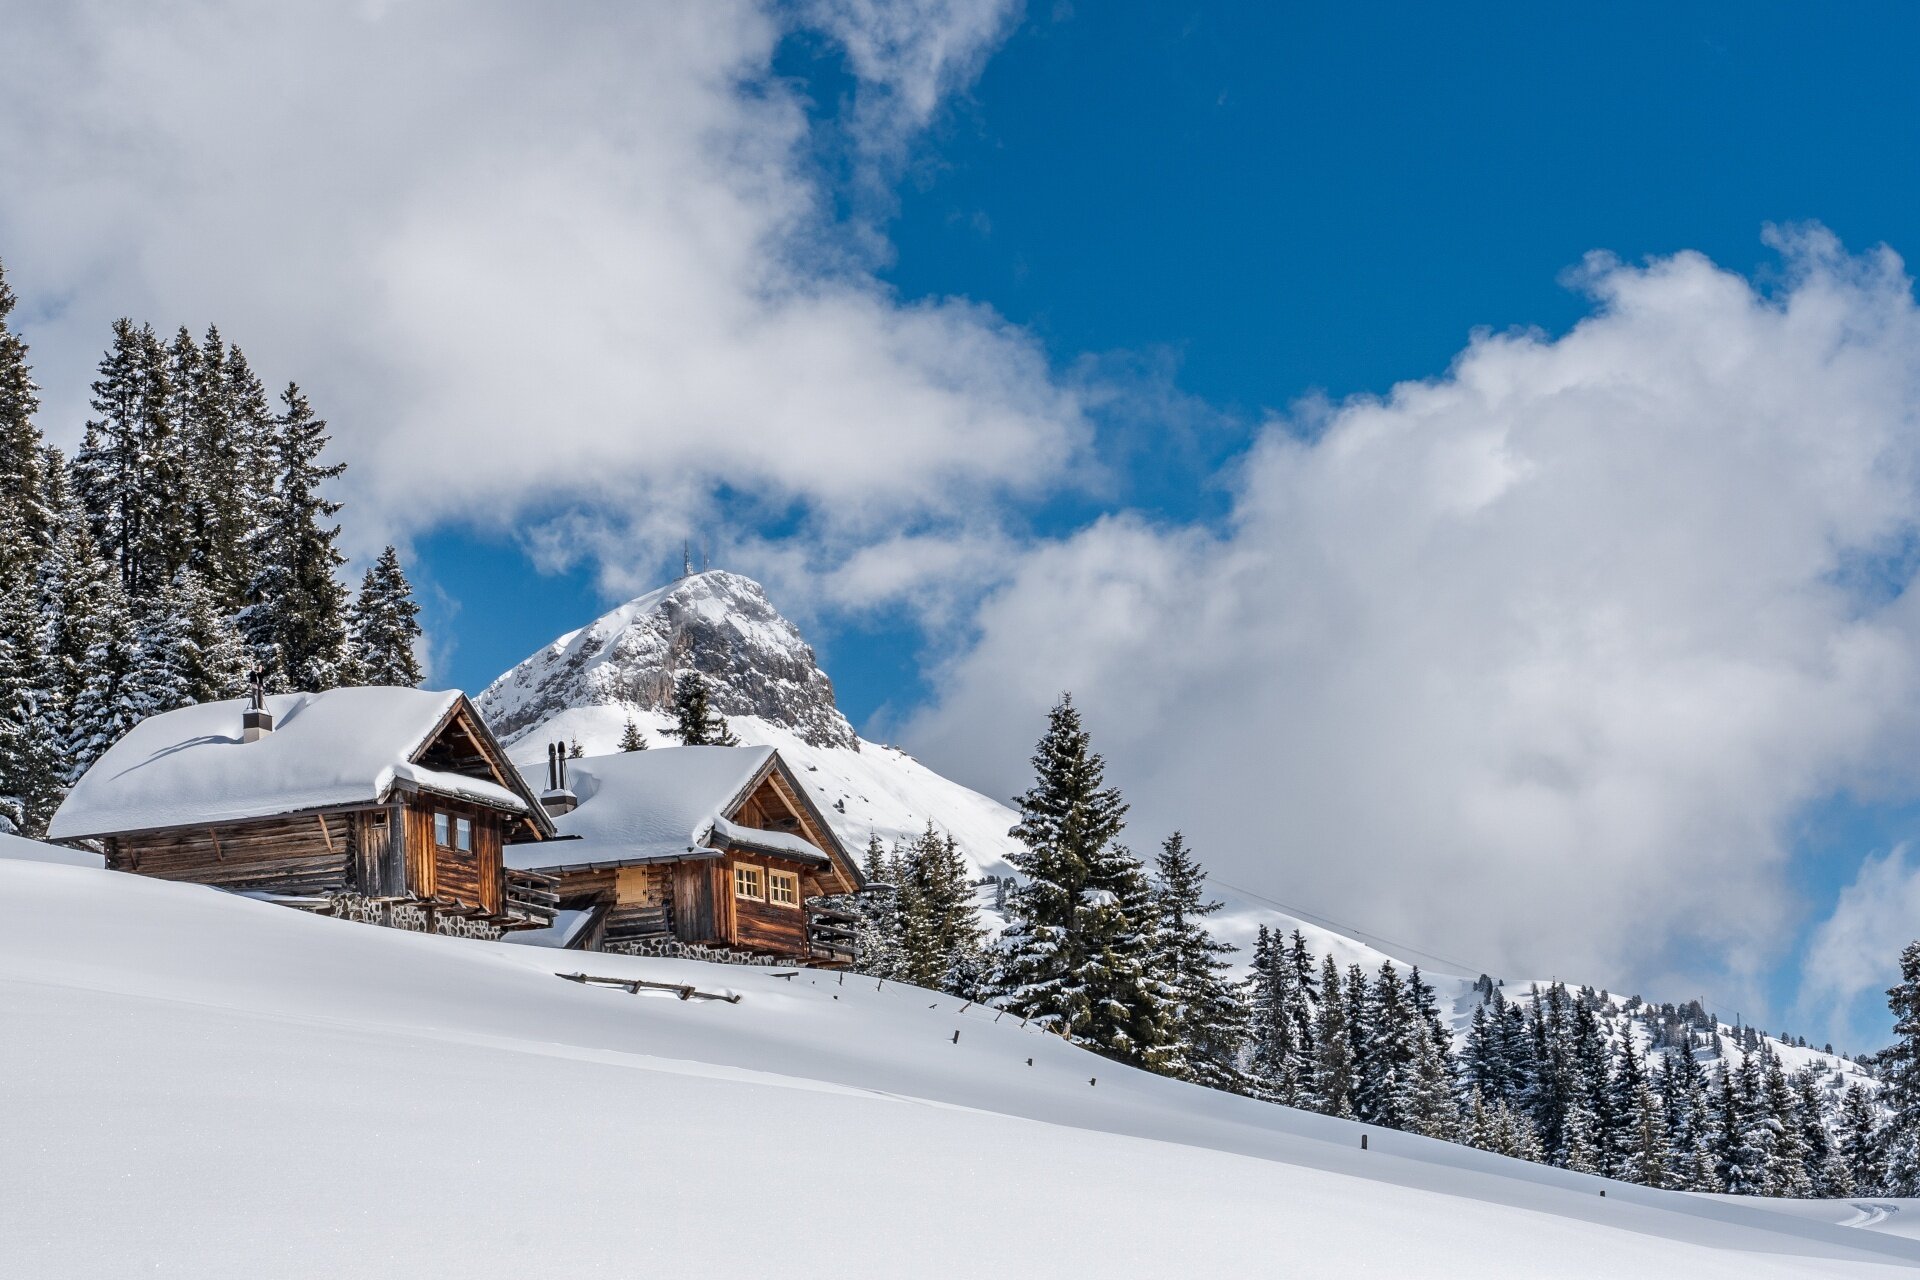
{"x":297,"y":607}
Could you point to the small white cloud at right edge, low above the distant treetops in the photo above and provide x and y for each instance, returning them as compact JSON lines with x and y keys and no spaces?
{"x":1854,"y":957}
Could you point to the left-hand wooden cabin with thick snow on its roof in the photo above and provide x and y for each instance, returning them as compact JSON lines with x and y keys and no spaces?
{"x":381,"y":805}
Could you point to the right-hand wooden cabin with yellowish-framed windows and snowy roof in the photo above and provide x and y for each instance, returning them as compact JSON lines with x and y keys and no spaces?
{"x":711,"y":847}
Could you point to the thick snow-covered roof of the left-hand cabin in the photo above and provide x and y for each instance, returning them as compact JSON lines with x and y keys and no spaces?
{"x":327,"y":749}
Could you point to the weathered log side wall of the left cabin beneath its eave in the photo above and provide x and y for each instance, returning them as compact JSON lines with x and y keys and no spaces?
{"x":279,"y":855}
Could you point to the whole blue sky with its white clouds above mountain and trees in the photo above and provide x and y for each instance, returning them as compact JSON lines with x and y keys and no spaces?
{"x":1049,"y":346}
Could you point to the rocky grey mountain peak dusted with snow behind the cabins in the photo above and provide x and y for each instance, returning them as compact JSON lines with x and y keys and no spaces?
{"x":719,"y":625}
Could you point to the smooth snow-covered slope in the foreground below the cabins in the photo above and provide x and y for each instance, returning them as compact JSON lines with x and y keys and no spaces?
{"x":206,"y":1085}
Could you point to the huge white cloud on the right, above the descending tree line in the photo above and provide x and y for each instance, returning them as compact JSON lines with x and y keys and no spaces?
{"x":1531,"y":663}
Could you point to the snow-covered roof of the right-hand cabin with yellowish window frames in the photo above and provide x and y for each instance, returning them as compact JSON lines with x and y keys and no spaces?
{"x":652,"y":805}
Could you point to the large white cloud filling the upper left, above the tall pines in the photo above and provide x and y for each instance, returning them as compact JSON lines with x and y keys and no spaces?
{"x":587,"y":264}
